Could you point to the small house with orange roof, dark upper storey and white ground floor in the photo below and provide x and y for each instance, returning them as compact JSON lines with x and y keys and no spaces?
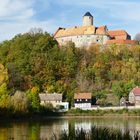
{"x":83,"y":100}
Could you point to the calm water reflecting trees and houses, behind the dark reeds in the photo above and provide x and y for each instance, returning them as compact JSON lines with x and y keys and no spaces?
{"x":51,"y":128}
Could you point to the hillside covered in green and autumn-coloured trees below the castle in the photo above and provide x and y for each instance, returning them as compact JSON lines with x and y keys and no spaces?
{"x":35,"y":60}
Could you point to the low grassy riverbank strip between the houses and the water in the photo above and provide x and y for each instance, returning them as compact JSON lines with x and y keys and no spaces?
{"x":74,"y":113}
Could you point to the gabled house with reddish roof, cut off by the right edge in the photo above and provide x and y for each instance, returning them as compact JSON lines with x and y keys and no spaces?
{"x":134,"y":96}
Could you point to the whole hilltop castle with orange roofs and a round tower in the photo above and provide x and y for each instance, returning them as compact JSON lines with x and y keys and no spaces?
{"x":89,"y":34}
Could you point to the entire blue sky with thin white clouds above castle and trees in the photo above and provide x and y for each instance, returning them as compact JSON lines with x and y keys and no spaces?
{"x":19,"y":16}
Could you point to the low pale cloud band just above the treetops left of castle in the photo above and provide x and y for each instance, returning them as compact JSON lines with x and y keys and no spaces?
{"x":9,"y":30}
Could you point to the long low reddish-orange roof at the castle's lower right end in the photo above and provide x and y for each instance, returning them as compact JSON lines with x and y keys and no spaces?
{"x":121,"y":42}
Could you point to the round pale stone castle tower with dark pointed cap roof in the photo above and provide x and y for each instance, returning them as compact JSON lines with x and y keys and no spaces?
{"x":87,"y":19}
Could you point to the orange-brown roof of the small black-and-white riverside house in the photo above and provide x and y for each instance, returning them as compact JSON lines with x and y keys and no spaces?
{"x":82,"y":96}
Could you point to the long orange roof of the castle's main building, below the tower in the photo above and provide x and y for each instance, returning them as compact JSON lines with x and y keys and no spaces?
{"x":79,"y":30}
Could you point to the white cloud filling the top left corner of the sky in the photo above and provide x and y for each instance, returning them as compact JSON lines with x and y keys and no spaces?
{"x":16,"y":9}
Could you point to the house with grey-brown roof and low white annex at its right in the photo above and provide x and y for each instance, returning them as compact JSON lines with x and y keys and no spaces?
{"x":55,"y":99}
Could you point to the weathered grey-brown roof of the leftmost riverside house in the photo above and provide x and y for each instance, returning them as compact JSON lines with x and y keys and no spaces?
{"x":50,"y":97}
